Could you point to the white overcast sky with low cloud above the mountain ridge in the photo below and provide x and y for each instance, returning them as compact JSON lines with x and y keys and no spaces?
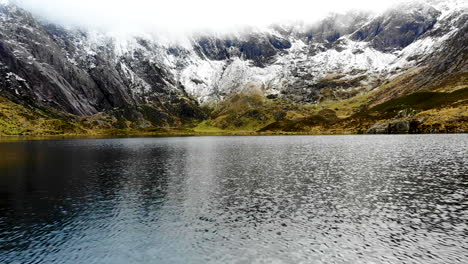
{"x":189,"y":15}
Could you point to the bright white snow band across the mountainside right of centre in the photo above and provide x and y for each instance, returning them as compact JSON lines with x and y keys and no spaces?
{"x":208,"y":79}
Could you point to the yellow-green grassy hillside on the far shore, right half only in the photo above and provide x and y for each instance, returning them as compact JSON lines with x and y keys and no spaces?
{"x":440,"y":108}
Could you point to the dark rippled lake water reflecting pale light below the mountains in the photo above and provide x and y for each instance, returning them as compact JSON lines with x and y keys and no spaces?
{"x":290,"y":199}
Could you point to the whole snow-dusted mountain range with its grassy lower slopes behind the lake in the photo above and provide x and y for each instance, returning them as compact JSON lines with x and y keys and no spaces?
{"x":331,"y":74}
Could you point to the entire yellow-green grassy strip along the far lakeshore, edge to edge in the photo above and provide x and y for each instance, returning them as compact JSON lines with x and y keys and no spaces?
{"x":442,"y":107}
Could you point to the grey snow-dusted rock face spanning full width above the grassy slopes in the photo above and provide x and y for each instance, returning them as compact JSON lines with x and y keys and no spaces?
{"x":140,"y":78}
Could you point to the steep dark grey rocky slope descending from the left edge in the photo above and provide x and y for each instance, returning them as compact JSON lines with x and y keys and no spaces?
{"x":47,"y":66}
